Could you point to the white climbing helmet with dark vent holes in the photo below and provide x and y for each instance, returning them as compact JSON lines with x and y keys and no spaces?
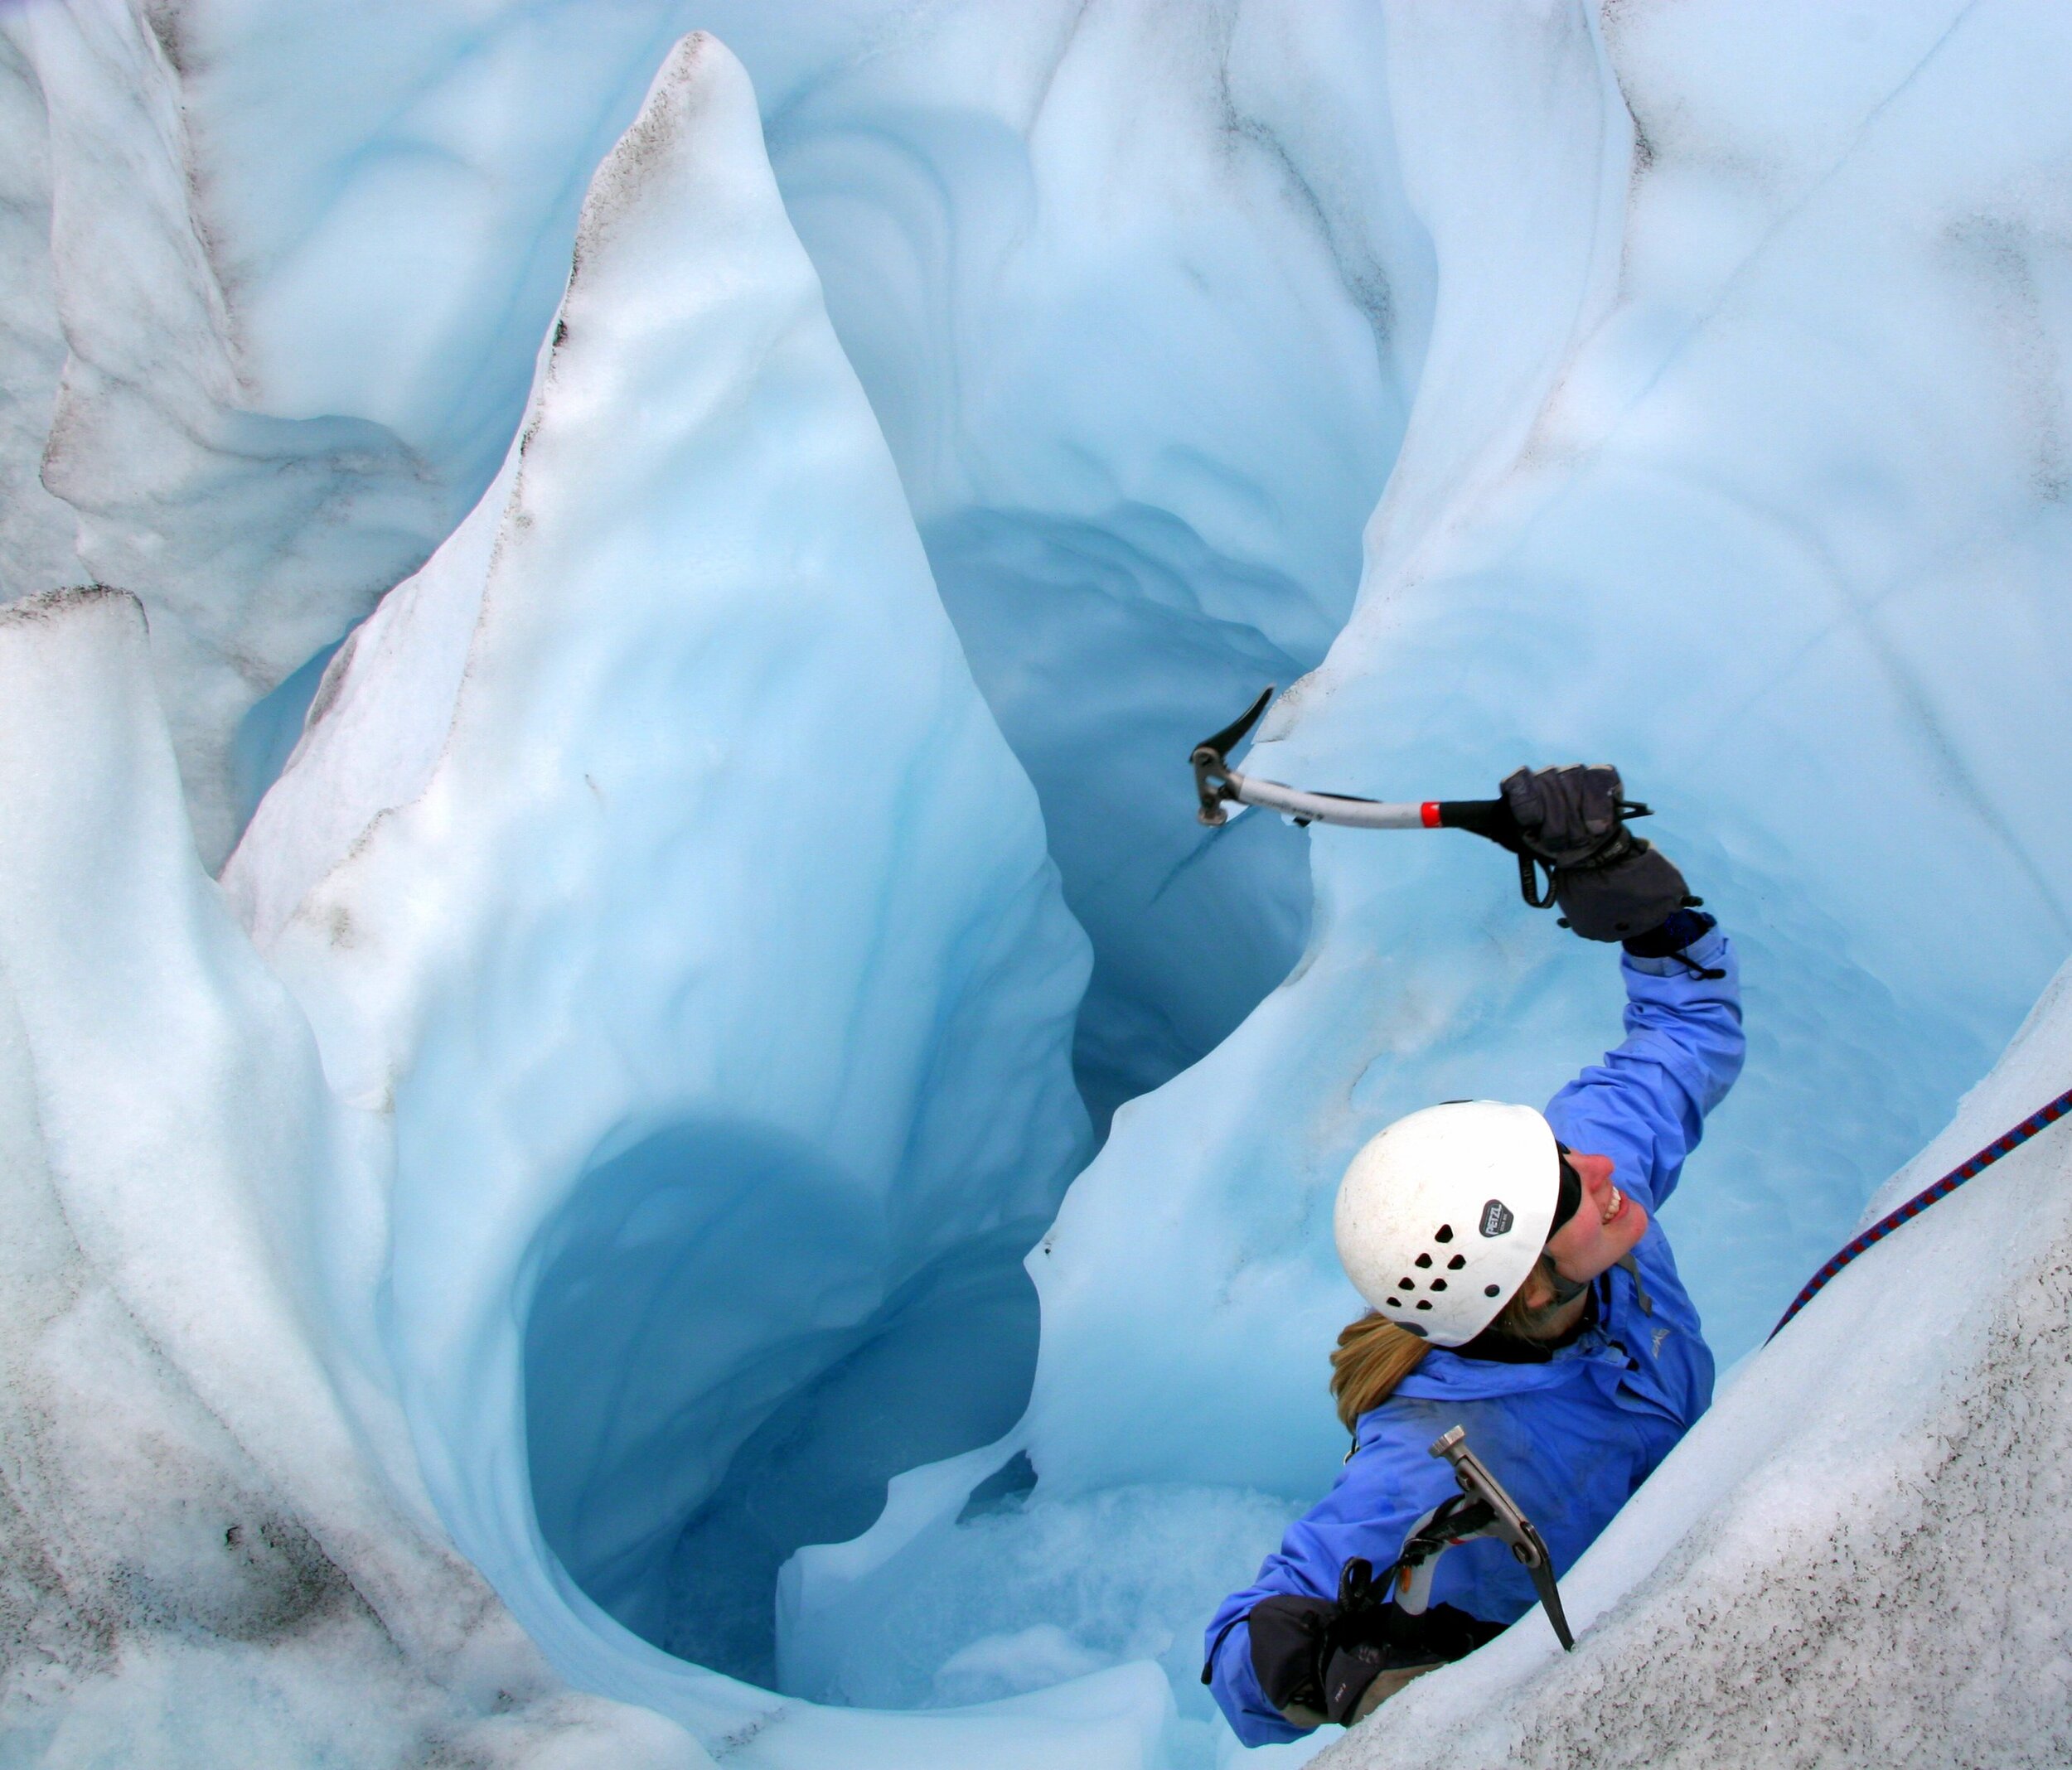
{"x":1445,"y":1214}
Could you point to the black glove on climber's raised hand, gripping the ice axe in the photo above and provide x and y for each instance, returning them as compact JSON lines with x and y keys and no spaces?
{"x":1611,"y":884}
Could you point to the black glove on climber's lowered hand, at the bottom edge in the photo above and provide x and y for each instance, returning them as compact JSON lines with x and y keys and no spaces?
{"x":1321,"y":1661}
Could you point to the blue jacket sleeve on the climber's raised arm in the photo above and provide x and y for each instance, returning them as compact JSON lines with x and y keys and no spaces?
{"x":1646,"y":1104}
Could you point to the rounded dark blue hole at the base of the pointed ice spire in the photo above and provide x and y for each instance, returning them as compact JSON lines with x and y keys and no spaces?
{"x":681,"y":1450}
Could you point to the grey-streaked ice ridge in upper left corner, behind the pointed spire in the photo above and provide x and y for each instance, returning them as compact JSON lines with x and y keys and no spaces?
{"x":252,"y":534}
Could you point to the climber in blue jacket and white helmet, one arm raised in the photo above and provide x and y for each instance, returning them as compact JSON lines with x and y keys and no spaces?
{"x":1520,"y":1288}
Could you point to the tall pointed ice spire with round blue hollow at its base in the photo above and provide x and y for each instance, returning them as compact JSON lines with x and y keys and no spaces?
{"x":712,"y":1180}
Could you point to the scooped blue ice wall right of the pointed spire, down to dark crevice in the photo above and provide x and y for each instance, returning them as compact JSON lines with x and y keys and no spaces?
{"x":1201,"y":210}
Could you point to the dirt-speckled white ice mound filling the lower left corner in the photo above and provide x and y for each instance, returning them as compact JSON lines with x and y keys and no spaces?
{"x":217,"y":1547}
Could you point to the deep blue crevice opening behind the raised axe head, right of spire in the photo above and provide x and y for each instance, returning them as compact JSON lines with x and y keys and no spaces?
{"x":1107,"y":652}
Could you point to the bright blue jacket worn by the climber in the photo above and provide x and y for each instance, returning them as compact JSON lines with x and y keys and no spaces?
{"x":1574,"y":1437}
